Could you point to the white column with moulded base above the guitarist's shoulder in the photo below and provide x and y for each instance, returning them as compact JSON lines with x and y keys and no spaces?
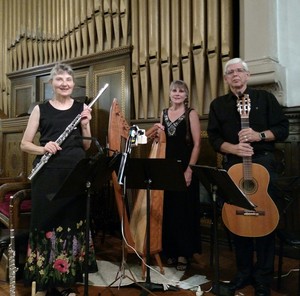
{"x":259,"y":45}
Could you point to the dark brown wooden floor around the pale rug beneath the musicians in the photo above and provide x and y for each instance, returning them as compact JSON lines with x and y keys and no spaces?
{"x":110,"y":249}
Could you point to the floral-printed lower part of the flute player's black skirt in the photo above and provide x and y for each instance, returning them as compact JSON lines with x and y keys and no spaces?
{"x":56,"y":258}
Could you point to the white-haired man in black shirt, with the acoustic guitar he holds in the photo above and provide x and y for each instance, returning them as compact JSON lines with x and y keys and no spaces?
{"x":243,"y":125}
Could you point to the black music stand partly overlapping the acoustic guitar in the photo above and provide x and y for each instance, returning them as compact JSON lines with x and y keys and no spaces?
{"x":218,"y":183}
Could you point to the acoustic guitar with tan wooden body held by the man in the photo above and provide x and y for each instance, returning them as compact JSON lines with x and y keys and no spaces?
{"x":253,"y":180}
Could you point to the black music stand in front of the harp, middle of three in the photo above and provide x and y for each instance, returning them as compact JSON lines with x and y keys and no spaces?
{"x":153,"y":174}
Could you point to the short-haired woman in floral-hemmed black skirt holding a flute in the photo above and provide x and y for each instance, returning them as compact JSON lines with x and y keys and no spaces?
{"x":56,"y":248}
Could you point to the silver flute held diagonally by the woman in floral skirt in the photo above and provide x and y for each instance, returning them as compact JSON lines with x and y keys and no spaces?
{"x":44,"y":159}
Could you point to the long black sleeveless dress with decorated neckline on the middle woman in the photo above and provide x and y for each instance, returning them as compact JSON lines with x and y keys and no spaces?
{"x":181,"y":211}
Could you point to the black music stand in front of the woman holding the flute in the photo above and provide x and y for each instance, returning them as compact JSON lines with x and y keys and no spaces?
{"x":89,"y":175}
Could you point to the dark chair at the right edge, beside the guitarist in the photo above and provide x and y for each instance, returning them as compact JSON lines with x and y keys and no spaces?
{"x":288,"y":235}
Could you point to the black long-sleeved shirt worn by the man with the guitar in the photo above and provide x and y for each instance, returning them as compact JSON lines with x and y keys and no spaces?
{"x":265,"y":114}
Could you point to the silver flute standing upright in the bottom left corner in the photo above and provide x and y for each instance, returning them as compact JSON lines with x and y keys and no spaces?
{"x":12,"y":256}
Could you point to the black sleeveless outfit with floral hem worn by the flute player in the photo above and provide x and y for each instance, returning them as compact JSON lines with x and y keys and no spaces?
{"x":56,"y":248}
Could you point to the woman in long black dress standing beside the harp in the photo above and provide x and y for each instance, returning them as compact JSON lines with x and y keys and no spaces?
{"x":181,"y":215}
